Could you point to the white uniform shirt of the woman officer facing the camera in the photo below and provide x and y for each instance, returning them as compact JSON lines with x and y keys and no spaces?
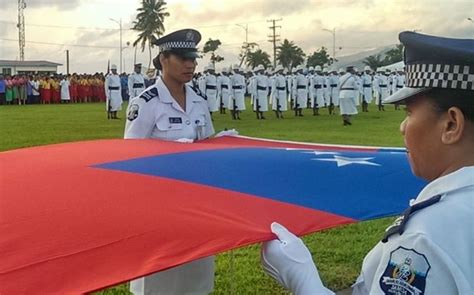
{"x":156,"y":114}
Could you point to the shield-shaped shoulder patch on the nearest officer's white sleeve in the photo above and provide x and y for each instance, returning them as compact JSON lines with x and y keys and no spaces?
{"x":405,"y":273}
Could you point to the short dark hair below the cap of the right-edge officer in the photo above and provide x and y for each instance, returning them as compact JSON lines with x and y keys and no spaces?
{"x":443,"y":99}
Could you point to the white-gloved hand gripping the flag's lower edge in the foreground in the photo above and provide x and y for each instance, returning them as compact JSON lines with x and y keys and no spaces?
{"x":288,"y":261}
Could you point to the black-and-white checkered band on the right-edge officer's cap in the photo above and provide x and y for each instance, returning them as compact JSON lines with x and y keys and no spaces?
{"x":440,"y":76}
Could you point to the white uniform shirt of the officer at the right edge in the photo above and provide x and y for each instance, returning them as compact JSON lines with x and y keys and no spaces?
{"x":435,"y":252}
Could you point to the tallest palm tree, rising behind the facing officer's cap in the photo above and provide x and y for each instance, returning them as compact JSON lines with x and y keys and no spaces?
{"x":150,"y":18}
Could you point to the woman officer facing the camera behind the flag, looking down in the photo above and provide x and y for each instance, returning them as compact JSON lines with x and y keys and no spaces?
{"x":173,"y":110}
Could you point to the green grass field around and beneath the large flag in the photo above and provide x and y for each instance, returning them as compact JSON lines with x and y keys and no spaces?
{"x":337,"y":252}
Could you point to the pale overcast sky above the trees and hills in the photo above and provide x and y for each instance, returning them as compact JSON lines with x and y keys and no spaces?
{"x":84,"y":27}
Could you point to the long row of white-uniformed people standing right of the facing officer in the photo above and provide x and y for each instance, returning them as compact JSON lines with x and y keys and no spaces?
{"x":313,"y":89}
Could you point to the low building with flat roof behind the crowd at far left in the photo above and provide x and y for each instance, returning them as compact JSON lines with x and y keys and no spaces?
{"x":14,"y":67}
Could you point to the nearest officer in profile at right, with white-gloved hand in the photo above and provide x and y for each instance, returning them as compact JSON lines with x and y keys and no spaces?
{"x":429,"y":249}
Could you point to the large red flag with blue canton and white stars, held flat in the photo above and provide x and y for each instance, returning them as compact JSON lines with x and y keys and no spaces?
{"x":79,"y":217}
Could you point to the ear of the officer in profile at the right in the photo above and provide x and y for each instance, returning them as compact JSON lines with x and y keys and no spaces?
{"x":453,"y":126}
